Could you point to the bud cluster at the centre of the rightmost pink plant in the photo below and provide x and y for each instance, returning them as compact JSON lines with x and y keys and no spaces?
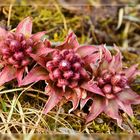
{"x":112,"y":83}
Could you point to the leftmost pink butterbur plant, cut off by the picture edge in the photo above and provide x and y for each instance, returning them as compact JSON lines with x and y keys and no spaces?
{"x":15,"y":50}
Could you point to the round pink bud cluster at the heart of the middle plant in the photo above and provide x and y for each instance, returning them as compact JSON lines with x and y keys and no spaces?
{"x":66,"y":68}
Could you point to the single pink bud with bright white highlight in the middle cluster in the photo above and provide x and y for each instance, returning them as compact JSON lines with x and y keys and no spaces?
{"x":64,"y":65}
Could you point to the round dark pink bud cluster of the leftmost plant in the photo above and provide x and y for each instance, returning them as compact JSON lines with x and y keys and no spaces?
{"x":15,"y":49}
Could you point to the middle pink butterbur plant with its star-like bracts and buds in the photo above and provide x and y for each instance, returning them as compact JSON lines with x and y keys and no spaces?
{"x":65,"y":68}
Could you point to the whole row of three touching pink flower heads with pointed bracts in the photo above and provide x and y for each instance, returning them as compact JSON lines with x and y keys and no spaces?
{"x":72,"y":72}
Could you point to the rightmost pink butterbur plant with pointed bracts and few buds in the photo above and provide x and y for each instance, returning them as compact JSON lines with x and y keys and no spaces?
{"x":113,"y":83}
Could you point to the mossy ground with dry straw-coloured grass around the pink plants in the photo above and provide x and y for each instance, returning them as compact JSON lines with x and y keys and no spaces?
{"x":93,"y":23}
